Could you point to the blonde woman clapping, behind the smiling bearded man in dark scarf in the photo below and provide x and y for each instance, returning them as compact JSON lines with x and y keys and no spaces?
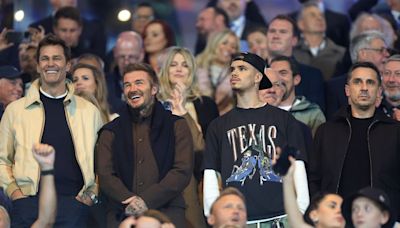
{"x":179,"y":92}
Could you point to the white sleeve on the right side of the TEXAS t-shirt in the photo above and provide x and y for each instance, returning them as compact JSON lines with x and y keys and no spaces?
{"x":301,"y":186}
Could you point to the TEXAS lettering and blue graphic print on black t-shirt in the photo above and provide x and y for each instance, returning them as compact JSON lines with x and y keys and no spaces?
{"x":256,"y":151}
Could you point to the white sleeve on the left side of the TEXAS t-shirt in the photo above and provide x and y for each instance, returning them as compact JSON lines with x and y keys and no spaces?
{"x":210,"y":189}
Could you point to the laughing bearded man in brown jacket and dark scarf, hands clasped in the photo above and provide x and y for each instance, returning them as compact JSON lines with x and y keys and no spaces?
{"x":145,"y":156}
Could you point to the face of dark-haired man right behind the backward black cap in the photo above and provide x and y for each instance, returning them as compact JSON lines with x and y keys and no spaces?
{"x":273,"y":95}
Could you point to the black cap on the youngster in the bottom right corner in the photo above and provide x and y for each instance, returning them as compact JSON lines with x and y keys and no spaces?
{"x":376,"y":195}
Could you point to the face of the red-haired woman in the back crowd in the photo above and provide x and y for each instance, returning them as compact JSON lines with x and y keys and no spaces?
{"x":155,"y":39}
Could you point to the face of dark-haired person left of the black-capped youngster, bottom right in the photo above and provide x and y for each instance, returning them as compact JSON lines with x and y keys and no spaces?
{"x":329,"y":213}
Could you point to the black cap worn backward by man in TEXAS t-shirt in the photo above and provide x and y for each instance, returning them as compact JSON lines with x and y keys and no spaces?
{"x":258,"y":63}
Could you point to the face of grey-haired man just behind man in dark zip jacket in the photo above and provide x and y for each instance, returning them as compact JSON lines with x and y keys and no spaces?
{"x":376,"y":53}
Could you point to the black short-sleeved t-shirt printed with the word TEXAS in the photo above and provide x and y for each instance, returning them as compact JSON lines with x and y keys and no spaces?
{"x":241,"y":146}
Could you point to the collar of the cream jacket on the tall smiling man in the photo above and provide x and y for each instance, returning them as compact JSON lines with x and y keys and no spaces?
{"x":33,"y":94}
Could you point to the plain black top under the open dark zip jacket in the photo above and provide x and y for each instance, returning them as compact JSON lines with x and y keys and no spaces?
{"x":356,"y":168}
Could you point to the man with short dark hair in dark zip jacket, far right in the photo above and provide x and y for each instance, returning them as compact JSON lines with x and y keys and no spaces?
{"x":360,"y":146}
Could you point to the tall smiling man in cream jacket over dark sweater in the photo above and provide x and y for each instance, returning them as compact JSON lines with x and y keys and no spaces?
{"x":50,"y":113}
